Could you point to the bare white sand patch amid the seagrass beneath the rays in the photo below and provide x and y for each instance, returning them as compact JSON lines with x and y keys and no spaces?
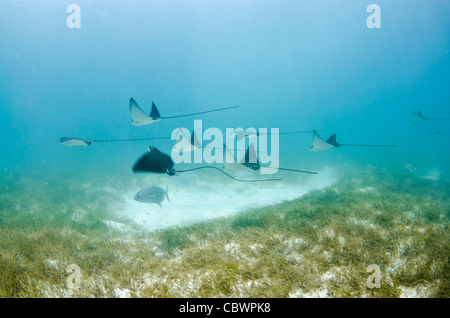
{"x":204,"y":195}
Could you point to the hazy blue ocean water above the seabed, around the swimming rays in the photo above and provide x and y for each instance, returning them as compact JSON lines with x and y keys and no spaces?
{"x":292,"y":65}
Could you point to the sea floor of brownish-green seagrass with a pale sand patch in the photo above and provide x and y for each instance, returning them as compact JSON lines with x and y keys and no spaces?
{"x":347,"y":232}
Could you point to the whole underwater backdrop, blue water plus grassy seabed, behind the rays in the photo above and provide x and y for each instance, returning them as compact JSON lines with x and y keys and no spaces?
{"x":293,"y":65}
